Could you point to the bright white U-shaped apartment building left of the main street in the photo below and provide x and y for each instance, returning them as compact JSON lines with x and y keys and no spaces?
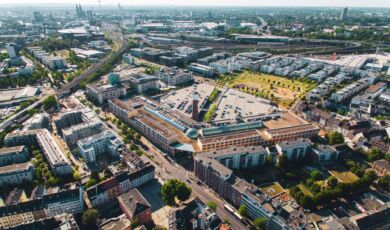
{"x":101,"y":143}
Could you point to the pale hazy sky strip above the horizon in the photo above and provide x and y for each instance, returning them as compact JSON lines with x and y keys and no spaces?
{"x":350,"y":3}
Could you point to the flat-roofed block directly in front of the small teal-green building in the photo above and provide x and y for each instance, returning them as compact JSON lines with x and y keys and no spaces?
{"x":102,"y":93}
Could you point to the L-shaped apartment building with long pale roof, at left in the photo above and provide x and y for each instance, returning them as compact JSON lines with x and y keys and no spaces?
{"x":57,"y":160}
